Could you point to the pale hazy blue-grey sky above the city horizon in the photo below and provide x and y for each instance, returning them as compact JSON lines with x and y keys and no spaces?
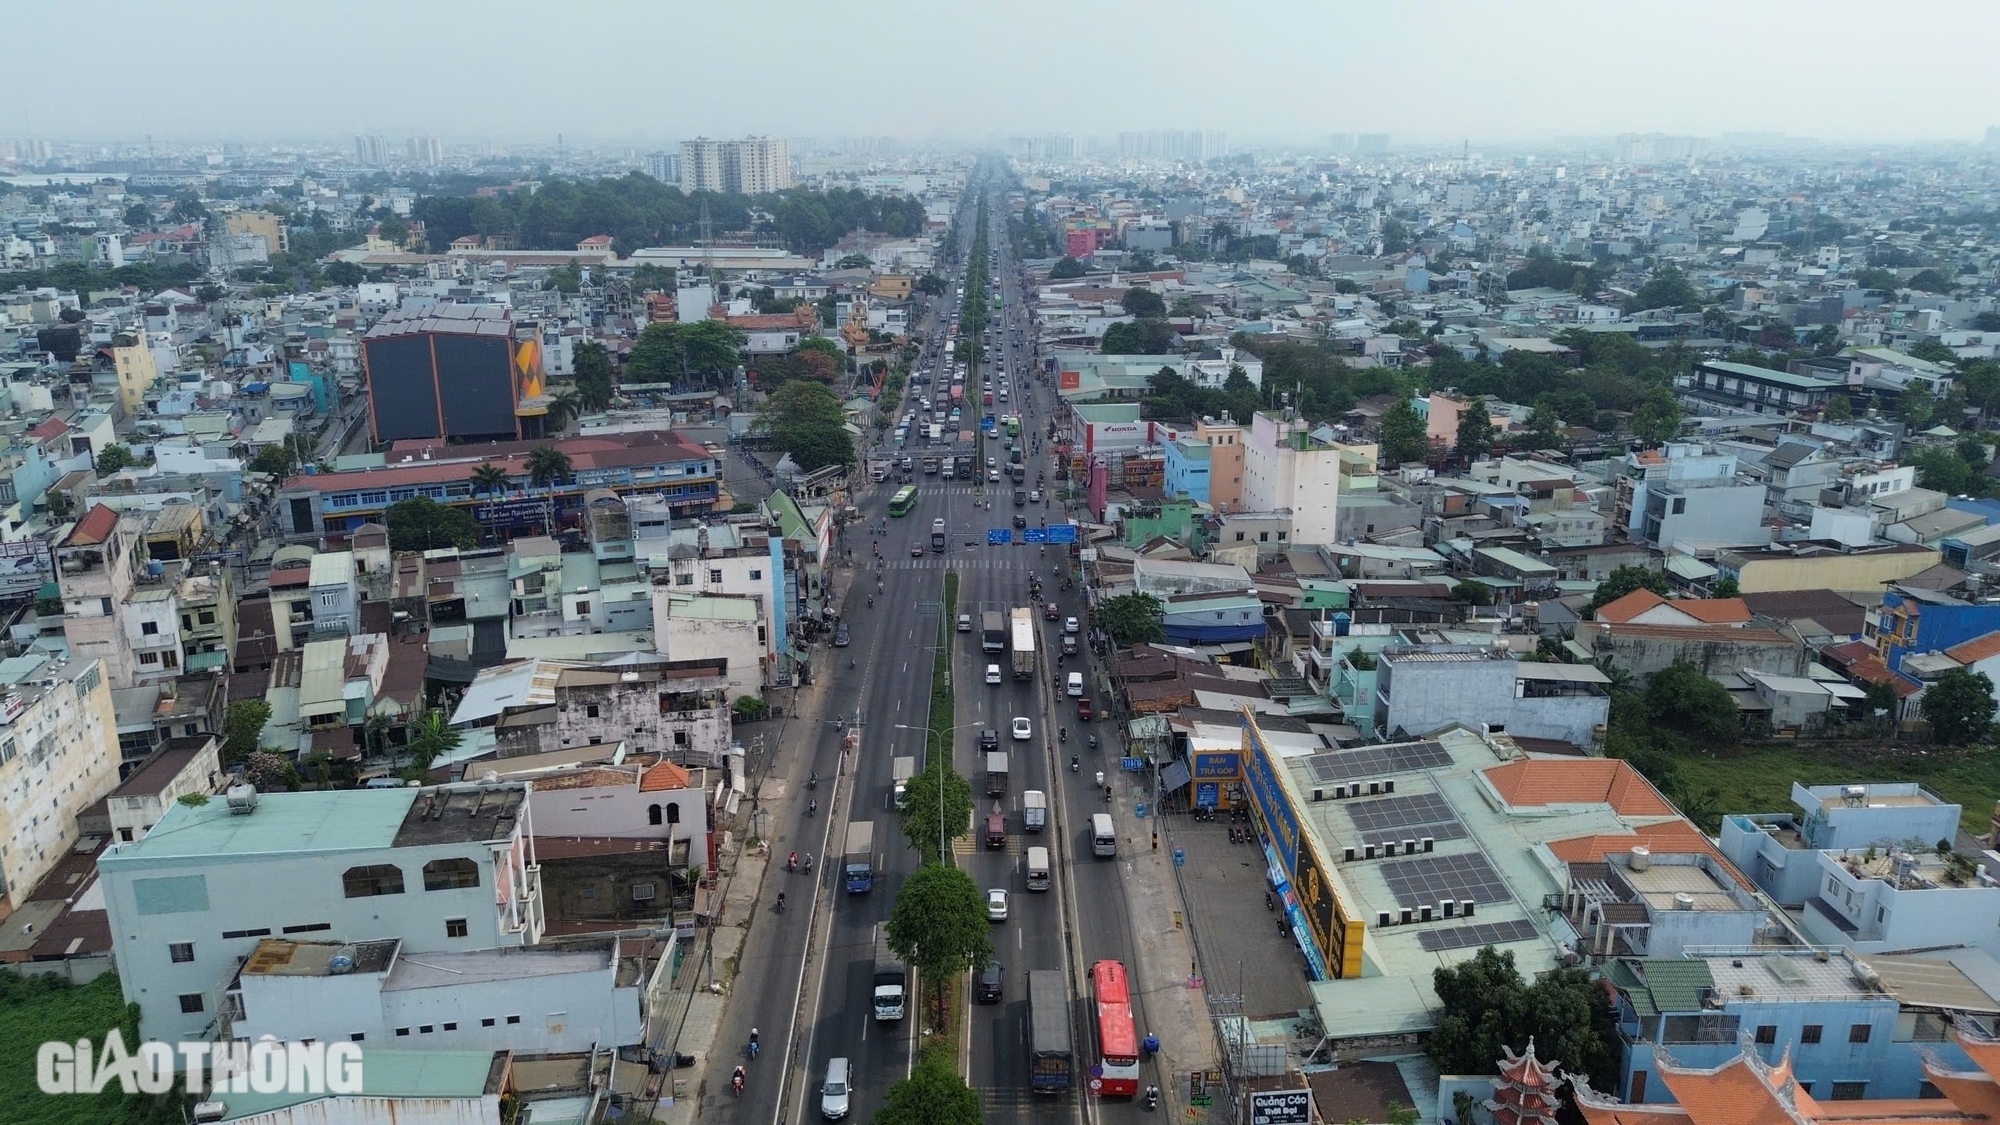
{"x":661,"y":71}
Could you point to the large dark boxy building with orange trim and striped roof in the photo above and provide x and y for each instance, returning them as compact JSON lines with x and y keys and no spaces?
{"x":443,"y":373}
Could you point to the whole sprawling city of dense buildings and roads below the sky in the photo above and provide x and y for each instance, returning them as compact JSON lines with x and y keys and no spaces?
{"x":597,"y":628}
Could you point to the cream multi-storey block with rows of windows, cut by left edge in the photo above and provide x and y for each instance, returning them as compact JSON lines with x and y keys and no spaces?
{"x":59,"y":756}
